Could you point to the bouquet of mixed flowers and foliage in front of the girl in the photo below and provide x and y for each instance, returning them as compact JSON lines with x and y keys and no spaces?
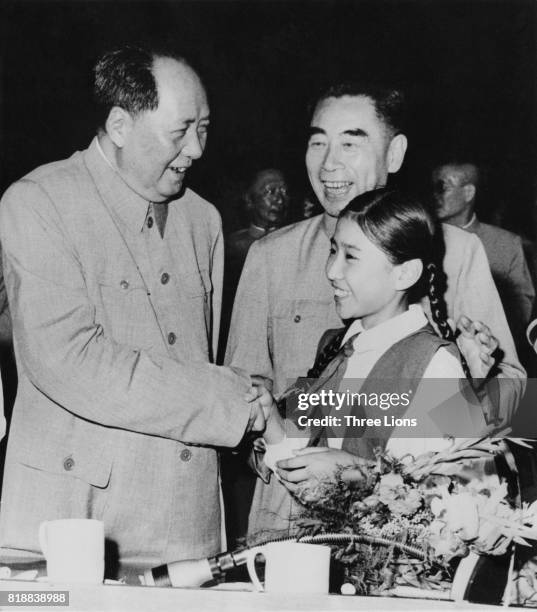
{"x":413,"y":517}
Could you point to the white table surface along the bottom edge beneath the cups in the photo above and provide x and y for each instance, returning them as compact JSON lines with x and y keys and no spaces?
{"x":118,"y":598}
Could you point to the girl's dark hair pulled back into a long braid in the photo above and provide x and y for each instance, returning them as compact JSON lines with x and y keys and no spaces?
{"x":403,"y":228}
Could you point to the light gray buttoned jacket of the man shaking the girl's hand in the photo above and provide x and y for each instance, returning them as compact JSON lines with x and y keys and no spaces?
{"x":118,"y":408}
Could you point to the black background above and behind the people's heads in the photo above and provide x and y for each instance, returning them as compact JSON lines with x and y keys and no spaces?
{"x":469,"y":69}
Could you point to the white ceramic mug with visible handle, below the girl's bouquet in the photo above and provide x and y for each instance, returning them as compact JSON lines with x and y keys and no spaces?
{"x":291,"y":567}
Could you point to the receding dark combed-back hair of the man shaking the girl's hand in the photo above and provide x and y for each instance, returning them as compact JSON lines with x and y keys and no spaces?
{"x":124,"y":77}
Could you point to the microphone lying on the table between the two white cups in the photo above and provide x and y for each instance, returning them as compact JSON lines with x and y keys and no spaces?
{"x":194,"y":572}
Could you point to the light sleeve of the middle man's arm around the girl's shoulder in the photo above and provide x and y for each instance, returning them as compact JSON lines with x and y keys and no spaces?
{"x":476,"y":296}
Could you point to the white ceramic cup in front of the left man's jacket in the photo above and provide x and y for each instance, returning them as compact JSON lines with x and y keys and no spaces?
{"x":74,"y":550}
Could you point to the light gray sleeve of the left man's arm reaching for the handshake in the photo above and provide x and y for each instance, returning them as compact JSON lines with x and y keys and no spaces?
{"x":63,"y":350}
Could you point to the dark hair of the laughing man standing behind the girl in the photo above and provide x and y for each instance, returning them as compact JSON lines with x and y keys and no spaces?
{"x":390,"y":103}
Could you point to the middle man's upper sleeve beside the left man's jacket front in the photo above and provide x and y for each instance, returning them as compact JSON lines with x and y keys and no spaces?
{"x":248,"y":345}
